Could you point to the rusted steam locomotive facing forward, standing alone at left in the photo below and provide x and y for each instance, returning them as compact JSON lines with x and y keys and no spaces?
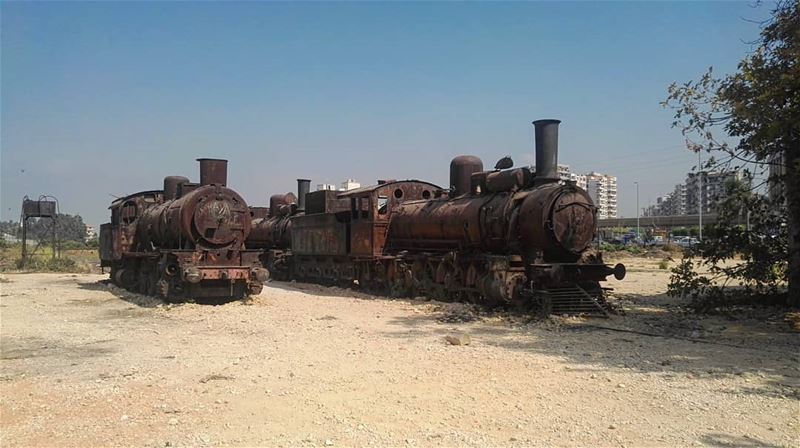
{"x":186,"y":241}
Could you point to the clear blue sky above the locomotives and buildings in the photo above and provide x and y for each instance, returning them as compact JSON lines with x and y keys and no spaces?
{"x":103,"y":99}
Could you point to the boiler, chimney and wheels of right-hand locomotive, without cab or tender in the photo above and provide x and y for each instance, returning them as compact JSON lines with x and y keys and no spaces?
{"x":514,"y":235}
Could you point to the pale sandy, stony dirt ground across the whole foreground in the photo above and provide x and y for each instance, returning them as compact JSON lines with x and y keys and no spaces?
{"x":86,"y":364}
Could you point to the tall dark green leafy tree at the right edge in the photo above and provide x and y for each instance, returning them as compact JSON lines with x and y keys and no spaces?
{"x":759,"y":108}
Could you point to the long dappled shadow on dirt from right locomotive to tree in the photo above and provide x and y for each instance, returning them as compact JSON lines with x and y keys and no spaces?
{"x":650,"y":338}
